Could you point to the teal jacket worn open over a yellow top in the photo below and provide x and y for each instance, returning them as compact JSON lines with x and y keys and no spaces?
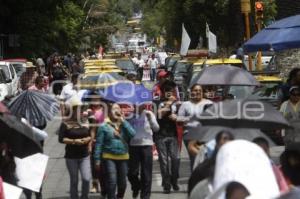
{"x":107,"y":142}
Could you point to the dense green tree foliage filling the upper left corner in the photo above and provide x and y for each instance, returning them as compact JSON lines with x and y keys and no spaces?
{"x":45,"y":26}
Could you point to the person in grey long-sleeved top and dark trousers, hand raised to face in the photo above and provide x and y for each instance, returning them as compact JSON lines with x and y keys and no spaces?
{"x":140,"y":152}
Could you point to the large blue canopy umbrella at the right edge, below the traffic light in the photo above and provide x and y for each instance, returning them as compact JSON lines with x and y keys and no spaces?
{"x":281,"y":35}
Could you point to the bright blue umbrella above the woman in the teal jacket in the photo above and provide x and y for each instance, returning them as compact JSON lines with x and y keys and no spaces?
{"x":127,"y":92}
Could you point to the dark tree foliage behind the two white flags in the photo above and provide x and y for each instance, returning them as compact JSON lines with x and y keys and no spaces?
{"x":223,"y":16}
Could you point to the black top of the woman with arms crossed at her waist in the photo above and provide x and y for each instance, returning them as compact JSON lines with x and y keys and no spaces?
{"x":74,"y":132}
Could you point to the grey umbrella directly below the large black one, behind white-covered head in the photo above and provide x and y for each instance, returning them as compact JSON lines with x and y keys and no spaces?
{"x":207,"y":133}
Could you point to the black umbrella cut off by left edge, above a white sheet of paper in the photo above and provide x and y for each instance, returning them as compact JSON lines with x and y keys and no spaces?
{"x":18,"y":136}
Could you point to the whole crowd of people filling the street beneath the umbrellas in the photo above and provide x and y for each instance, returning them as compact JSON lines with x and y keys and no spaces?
{"x":106,"y":146}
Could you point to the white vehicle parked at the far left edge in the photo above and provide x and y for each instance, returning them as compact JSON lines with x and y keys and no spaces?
{"x":10,"y":77}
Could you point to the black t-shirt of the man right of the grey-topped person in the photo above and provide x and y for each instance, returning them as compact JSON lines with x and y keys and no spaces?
{"x":167,"y":126}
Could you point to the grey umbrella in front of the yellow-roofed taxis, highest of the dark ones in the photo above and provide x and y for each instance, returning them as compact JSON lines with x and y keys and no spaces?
{"x":225,"y":75}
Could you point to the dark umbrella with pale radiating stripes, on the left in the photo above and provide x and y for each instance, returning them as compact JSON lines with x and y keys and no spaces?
{"x":37,"y":107}
